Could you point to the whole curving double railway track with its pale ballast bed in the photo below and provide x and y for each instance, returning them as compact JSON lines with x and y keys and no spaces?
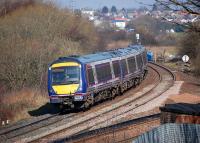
{"x":63,"y":127}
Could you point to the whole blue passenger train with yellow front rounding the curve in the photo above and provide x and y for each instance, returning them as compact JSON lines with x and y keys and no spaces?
{"x":81,"y":81}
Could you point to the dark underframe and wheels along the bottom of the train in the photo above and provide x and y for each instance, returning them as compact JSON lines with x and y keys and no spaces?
{"x":101,"y":95}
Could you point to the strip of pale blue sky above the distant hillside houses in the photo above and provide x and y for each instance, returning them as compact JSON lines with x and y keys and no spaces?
{"x":98,"y":4}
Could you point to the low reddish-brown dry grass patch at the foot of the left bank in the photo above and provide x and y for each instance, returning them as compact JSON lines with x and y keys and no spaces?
{"x":14,"y":106}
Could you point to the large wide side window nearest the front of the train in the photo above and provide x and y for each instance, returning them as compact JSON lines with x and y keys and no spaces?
{"x":103,"y":72}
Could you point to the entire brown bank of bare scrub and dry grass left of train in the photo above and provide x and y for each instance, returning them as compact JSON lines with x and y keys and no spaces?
{"x":31,"y":36}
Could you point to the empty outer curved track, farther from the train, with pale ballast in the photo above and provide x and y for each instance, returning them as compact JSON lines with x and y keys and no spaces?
{"x":166,"y":81}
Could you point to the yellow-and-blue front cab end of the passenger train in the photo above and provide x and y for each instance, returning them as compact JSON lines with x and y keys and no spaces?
{"x":66,"y":84}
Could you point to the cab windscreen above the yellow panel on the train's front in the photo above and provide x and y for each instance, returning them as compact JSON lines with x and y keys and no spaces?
{"x":66,"y":75}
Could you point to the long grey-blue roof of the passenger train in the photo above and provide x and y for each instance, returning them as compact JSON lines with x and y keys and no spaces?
{"x":131,"y":49}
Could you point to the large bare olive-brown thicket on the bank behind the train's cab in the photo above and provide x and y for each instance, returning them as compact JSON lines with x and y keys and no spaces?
{"x":33,"y":36}
